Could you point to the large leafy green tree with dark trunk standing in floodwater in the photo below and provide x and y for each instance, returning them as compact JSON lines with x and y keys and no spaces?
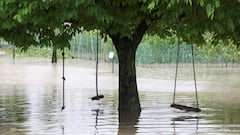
{"x":124,"y":21}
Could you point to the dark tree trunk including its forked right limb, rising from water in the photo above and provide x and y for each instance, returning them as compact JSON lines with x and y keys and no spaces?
{"x":126,"y":50}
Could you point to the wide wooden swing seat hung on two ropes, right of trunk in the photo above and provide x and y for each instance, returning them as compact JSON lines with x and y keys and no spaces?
{"x":183,"y":107}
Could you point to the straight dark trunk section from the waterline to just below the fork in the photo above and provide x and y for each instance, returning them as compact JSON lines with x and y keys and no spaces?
{"x":128,"y":93}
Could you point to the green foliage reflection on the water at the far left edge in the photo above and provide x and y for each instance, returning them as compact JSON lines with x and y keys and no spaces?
{"x":13,"y":112}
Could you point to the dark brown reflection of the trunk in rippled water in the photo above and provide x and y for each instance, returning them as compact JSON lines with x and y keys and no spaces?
{"x":127,"y":122}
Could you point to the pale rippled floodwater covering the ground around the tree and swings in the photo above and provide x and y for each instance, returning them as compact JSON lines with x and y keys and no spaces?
{"x":31,"y":100}
